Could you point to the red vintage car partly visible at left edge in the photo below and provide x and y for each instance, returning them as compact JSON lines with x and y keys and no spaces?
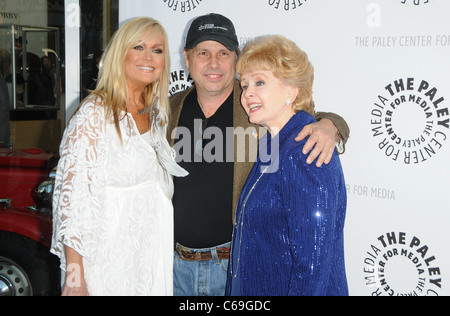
{"x":26,"y":185}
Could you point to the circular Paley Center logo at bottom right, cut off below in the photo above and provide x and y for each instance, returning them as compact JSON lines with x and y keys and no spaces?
{"x":402,"y":264}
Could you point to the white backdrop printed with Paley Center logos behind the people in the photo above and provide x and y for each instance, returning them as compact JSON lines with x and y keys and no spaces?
{"x":384,"y":65}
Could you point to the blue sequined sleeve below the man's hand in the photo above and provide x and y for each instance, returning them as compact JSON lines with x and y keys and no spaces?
{"x":315,"y":201}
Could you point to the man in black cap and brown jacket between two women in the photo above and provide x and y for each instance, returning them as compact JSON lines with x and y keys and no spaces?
{"x":205,"y":201}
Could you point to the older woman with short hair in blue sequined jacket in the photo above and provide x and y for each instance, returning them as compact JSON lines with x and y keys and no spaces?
{"x":288,"y":234}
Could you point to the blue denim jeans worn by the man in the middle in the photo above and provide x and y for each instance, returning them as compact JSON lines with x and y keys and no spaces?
{"x":200,"y":278}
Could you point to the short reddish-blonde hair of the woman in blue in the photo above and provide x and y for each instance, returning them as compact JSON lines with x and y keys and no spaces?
{"x":286,"y":61}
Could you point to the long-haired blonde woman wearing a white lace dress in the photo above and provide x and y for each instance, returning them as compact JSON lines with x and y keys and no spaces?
{"x":113,"y":217}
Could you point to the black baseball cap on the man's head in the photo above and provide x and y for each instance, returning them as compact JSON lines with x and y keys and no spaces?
{"x":212,"y":27}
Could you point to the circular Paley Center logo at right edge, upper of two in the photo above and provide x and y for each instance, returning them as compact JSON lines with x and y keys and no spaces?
{"x":410,"y":120}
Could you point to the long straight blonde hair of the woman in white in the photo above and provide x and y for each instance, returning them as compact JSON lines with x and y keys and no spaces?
{"x":112,"y":85}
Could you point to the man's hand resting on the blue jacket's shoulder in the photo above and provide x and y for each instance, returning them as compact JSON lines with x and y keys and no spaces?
{"x":322,"y":137}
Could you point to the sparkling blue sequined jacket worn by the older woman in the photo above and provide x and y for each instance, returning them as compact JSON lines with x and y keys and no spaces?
{"x":289,"y":231}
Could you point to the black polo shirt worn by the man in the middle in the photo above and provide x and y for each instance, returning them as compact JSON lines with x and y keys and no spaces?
{"x":203,"y":200}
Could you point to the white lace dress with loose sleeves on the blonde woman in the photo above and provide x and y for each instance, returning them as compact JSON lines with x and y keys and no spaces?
{"x":112,"y":204}
